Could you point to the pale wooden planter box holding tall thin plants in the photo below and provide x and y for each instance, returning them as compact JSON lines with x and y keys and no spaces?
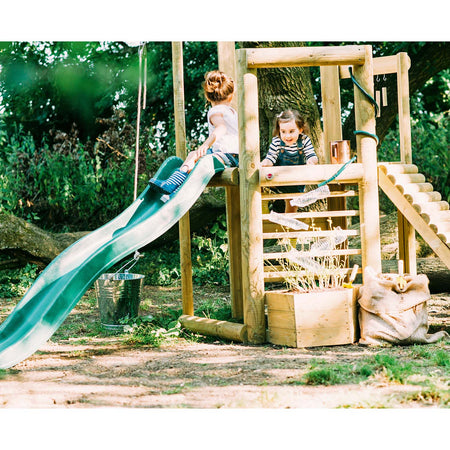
{"x":312,"y":319}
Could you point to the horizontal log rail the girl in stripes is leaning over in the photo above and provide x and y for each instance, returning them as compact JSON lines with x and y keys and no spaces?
{"x":309,"y":174}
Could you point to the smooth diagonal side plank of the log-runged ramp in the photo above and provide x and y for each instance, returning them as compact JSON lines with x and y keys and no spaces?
{"x":414,"y":218}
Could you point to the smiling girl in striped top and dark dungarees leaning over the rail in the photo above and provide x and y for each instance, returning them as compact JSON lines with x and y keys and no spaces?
{"x":290,"y":146}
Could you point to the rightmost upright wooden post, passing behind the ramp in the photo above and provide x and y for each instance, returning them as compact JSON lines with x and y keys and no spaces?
{"x":406,"y":232}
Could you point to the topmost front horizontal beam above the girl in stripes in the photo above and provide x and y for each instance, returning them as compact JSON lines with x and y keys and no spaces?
{"x":305,"y":56}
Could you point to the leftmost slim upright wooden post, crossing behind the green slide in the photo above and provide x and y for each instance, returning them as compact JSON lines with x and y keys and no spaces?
{"x":180,"y":138}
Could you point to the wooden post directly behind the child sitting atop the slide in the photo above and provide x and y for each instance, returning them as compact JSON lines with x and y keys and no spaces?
{"x":227,"y":64}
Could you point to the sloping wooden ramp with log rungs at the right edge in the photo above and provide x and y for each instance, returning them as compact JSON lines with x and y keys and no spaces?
{"x":422,"y":207}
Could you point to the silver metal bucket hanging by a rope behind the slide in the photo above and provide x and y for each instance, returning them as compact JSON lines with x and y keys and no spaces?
{"x":118,"y":296}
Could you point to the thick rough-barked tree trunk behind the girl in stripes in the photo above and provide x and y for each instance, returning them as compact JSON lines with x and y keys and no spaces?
{"x":286,"y":88}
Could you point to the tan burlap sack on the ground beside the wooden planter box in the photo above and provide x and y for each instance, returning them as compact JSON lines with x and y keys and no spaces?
{"x":394,"y":314}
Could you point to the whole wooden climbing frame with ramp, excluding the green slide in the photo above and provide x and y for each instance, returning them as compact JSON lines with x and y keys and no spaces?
{"x":252,"y":267}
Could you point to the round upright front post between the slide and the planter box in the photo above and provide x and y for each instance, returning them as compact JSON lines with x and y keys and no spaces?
{"x":251,"y":210}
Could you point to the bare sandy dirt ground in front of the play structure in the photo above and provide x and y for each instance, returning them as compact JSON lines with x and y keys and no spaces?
{"x":105,"y":372}
